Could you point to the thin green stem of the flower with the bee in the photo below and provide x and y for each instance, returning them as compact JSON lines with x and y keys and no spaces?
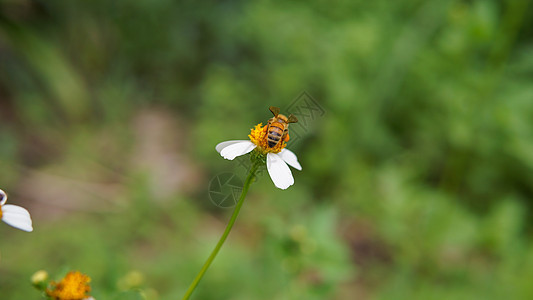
{"x":214,"y":253}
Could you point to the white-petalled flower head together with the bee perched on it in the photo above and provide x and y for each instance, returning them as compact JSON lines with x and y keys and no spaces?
{"x":268,"y":144}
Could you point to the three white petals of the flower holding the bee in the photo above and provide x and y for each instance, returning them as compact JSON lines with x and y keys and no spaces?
{"x":276,"y":162}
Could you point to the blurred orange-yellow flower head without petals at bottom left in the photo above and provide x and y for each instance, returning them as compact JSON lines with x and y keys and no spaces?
{"x":74,"y":286}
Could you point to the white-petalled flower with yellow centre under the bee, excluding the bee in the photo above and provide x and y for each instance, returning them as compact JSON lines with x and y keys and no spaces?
{"x":277,"y":157}
